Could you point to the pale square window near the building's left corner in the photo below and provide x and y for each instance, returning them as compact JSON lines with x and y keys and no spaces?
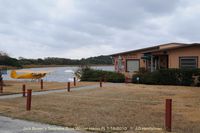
{"x":132,"y":65}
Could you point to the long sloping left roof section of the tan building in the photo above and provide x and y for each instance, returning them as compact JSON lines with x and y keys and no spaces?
{"x":153,"y":48}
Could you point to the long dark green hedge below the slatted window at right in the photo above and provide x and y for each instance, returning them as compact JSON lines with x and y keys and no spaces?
{"x":168,"y":77}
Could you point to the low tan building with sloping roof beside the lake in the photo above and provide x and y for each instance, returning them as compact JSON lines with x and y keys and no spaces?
{"x":171,"y":55}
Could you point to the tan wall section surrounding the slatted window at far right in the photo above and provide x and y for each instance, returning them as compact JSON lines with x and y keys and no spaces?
{"x":176,"y":53}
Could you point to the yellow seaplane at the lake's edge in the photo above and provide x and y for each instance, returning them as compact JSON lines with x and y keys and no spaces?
{"x":28,"y":74}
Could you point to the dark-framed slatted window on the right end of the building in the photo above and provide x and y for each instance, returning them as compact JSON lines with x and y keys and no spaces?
{"x":188,"y":62}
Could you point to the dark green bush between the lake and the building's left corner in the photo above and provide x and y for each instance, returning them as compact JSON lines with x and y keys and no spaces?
{"x":96,"y":75}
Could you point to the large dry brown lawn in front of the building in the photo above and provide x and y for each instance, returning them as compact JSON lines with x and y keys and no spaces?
{"x":136,"y":108}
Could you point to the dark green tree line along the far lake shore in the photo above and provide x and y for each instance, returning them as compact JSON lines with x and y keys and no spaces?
{"x":9,"y":61}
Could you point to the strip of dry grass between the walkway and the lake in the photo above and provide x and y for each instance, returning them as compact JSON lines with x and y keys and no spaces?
{"x":11,"y":87}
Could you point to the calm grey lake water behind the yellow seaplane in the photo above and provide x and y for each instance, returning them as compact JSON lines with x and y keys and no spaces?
{"x":60,"y":74}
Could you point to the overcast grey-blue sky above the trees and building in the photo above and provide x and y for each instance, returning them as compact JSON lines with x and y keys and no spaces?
{"x":84,"y":28}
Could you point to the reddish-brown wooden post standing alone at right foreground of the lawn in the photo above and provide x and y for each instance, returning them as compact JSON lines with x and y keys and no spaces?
{"x":168,"y":115}
